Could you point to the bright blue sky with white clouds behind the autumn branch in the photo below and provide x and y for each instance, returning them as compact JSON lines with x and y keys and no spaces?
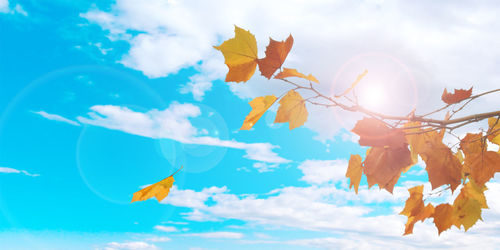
{"x":99,"y":99}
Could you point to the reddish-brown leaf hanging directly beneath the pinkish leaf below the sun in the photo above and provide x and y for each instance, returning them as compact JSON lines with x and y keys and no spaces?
{"x":383,"y":166}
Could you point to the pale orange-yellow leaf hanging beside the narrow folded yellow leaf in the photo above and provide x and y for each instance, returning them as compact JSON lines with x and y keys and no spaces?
{"x":292,"y":109}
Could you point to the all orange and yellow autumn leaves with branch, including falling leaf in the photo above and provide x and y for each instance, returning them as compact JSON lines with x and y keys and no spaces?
{"x":395,"y":143}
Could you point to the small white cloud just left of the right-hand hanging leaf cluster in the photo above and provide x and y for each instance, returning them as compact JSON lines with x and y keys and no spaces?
{"x":318,"y":172}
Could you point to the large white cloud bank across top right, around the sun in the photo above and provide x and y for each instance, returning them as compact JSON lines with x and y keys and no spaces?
{"x":411,"y":45}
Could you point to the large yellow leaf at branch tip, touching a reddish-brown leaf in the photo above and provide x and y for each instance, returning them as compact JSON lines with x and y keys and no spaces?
{"x":240,"y":54}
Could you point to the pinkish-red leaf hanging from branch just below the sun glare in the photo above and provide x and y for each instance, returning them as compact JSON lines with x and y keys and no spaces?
{"x":375,"y":133}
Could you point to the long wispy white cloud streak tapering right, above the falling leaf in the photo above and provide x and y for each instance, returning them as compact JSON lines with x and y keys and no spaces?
{"x":172,"y":123}
